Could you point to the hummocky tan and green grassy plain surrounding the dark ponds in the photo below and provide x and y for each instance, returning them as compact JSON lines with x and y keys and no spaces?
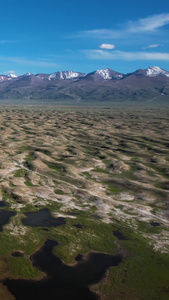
{"x":104,"y":168}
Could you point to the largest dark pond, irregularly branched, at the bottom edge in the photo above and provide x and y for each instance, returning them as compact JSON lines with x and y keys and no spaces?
{"x":63,"y":282}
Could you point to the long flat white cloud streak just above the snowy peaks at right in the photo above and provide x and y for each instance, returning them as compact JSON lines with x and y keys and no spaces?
{"x":122,"y":55}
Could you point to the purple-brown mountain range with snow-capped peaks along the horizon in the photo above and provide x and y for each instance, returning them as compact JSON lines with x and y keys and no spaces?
{"x":100,"y":85}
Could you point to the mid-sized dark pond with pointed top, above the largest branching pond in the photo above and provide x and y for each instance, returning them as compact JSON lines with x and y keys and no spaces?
{"x":42,"y":218}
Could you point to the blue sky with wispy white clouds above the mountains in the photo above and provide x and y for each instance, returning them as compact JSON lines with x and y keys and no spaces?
{"x":47,"y":36}
